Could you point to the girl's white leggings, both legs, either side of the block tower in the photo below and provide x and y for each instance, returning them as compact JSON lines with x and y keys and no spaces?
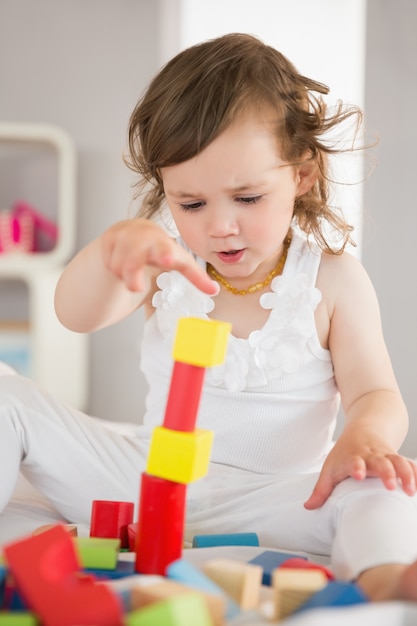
{"x":73,"y":459}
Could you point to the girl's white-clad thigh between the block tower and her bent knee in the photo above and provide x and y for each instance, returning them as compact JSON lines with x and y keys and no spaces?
{"x":230,"y":500}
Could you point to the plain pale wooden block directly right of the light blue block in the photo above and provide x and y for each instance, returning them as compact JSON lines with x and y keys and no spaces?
{"x":241,"y":581}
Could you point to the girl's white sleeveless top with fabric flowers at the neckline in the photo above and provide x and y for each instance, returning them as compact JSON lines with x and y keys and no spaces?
{"x":273,"y":404}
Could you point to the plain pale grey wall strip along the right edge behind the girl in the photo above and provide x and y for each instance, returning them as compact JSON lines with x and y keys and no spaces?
{"x":390,"y":218}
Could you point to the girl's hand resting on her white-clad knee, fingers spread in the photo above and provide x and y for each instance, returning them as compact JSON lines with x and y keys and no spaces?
{"x":359,"y":462}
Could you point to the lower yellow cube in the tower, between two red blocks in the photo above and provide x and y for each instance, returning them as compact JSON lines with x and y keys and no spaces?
{"x":180,"y":457}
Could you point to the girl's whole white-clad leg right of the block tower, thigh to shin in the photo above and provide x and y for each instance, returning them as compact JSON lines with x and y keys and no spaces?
{"x":361,"y":526}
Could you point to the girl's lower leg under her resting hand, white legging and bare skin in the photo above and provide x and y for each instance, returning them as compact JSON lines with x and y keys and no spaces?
{"x":376,"y":539}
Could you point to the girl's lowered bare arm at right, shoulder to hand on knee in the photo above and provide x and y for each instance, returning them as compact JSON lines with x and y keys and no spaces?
{"x":376,"y":417}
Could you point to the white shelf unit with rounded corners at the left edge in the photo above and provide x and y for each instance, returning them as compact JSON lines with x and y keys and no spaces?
{"x":38,"y":165}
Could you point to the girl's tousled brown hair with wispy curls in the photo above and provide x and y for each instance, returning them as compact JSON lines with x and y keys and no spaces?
{"x":199,"y":92}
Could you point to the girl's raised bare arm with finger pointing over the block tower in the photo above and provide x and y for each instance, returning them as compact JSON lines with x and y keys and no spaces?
{"x":115,"y":274}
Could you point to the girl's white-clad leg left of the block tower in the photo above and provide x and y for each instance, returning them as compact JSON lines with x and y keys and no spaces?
{"x":69,"y":457}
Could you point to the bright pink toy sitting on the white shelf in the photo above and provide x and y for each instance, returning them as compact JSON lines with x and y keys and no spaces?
{"x":24,"y":229}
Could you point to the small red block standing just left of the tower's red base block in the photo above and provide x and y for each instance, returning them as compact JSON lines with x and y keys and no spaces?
{"x":110,"y":519}
